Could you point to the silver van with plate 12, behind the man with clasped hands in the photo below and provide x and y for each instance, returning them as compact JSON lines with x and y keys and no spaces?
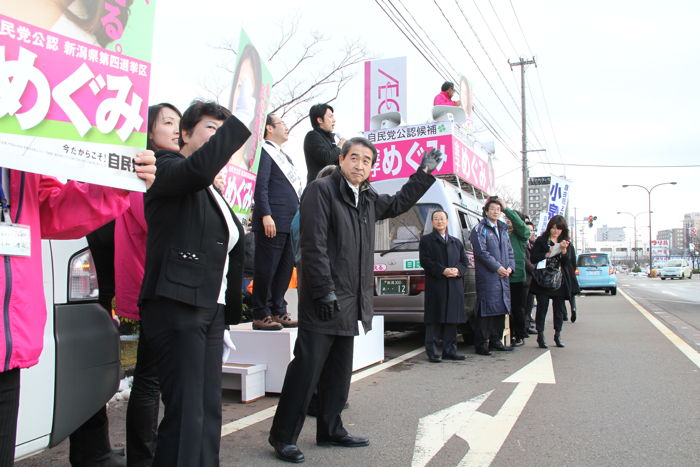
{"x":399,"y":277}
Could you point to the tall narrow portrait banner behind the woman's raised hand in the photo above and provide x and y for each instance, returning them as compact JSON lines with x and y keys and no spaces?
{"x":250,"y":98}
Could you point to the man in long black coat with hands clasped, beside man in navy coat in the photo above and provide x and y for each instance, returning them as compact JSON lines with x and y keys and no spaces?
{"x":445,"y":262}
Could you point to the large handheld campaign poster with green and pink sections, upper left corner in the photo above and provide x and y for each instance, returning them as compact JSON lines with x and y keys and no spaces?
{"x":74,"y":89}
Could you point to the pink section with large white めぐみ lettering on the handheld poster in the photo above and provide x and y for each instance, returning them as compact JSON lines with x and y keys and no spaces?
{"x":61,"y":79}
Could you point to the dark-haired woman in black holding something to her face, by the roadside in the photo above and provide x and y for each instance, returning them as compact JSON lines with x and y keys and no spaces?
{"x":557,"y":232}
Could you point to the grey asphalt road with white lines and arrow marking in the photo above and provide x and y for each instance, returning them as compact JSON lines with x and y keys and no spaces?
{"x":624,"y":391}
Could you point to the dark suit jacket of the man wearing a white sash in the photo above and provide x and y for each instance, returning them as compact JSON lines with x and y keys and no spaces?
{"x":274,"y":196}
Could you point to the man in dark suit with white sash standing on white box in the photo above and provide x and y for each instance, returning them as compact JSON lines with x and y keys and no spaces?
{"x":277,"y":191}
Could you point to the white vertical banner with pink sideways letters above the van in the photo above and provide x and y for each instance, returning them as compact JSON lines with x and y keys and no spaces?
{"x":385,"y":88}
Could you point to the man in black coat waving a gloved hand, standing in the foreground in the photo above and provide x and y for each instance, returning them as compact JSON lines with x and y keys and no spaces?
{"x":338,"y":213}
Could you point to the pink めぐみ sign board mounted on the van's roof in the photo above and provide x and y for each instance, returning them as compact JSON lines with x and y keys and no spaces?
{"x":400,"y":151}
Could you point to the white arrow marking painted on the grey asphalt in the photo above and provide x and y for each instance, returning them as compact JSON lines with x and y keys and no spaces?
{"x":484,"y":433}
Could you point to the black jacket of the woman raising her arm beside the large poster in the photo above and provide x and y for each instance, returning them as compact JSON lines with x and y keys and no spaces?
{"x":183,"y":217}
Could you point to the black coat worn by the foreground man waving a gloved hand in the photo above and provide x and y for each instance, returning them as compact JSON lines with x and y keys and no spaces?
{"x":337,"y":247}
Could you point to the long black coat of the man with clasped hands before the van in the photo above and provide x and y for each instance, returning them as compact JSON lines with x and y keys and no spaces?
{"x":444,"y":297}
